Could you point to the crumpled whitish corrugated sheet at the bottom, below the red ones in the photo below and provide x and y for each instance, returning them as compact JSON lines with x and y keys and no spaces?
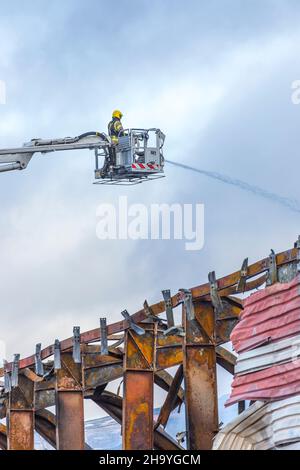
{"x":263,"y":426}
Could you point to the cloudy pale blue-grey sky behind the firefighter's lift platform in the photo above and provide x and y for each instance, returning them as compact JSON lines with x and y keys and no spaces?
{"x":216,"y":76}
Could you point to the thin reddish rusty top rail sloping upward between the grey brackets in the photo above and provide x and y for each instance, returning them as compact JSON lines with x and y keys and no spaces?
{"x":227,"y":282}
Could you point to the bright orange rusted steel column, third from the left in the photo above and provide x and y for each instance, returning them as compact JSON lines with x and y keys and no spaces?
{"x":137,"y":423}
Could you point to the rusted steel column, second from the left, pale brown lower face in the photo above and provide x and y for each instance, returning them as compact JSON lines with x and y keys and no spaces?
{"x":69,"y":404}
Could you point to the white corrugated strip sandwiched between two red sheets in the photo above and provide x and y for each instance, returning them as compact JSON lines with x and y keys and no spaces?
{"x":280,"y":352}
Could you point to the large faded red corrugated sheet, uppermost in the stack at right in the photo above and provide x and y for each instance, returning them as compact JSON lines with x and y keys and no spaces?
{"x":269,"y":315}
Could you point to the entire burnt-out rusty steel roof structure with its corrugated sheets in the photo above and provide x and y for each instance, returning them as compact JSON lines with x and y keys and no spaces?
{"x":142,"y":347}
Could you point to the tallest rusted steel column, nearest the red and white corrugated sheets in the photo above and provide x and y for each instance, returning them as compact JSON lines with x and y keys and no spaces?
{"x":199,"y":365}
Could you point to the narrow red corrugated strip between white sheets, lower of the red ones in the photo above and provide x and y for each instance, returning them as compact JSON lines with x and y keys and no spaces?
{"x":276,"y":382}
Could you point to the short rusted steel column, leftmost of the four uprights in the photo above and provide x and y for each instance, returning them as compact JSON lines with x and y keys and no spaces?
{"x":20,"y":414}
